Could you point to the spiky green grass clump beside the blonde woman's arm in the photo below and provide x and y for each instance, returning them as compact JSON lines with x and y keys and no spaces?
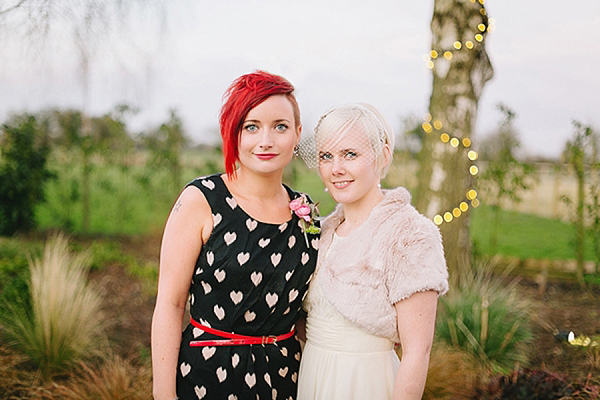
{"x":484,"y":315}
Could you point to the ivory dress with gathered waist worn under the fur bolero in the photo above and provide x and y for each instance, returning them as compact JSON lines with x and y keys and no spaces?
{"x":341,"y":361}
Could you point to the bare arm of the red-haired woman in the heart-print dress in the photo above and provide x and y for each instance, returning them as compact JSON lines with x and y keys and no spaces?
{"x":187,"y":228}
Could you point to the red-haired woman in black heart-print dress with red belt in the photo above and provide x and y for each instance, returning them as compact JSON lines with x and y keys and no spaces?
{"x":248,"y":258}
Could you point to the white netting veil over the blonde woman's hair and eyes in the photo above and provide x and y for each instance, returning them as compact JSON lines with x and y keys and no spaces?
{"x":356,"y":132}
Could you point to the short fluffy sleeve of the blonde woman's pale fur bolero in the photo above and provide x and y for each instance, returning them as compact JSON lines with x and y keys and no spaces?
{"x":415,"y":260}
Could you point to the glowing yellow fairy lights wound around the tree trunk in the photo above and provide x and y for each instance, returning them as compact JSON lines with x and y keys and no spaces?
{"x":429,"y":125}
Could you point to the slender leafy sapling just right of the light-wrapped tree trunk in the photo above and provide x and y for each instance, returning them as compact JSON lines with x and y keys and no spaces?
{"x":504,"y":177}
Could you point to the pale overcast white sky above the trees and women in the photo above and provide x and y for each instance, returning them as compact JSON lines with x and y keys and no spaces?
{"x":184,"y":55}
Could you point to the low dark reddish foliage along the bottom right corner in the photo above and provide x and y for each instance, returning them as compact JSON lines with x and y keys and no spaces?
{"x":536,"y":384}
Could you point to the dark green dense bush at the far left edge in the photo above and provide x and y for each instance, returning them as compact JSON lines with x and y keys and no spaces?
{"x":23,"y":173}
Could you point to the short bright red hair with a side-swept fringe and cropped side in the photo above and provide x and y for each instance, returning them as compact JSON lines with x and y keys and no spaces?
{"x":245,"y":93}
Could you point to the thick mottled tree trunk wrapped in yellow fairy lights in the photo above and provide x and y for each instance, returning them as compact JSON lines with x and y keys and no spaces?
{"x":459,"y":75}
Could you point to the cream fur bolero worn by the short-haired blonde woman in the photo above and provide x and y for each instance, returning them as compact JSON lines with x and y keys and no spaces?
{"x":395,"y":253}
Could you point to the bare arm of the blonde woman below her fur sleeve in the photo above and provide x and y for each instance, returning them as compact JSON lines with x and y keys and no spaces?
{"x":416,"y":326}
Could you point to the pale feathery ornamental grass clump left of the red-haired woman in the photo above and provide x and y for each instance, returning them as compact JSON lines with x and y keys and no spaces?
{"x":66,"y":323}
